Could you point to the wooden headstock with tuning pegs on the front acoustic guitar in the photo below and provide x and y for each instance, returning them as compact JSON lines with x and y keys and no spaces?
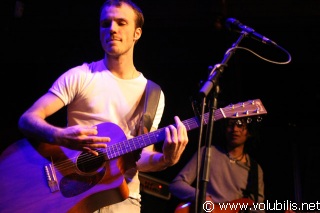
{"x":244,"y":109}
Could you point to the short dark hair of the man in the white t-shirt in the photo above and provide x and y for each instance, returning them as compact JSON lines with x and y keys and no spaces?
{"x":139,"y":15}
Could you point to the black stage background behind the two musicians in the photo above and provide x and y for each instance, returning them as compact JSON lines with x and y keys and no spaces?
{"x":180,"y":40}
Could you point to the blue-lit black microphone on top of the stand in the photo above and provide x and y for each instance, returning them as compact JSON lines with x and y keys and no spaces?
{"x":235,"y":25}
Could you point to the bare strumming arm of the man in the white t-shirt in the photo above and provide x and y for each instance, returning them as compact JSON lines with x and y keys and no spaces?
{"x":33,"y":125}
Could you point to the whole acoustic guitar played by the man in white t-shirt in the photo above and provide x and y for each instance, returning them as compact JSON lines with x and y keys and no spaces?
{"x":40,"y":177}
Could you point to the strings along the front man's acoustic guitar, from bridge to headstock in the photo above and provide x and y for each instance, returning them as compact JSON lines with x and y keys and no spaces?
{"x":122,"y":147}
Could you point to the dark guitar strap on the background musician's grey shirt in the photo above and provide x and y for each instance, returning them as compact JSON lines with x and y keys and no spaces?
{"x":252,"y":186}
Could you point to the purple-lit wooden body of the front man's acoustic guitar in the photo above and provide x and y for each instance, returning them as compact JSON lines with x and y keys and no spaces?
{"x":24,"y":182}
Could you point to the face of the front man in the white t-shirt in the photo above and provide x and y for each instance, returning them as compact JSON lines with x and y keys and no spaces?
{"x":118,"y":32}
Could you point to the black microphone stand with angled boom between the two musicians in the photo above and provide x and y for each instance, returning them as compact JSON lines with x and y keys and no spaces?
{"x":205,"y":90}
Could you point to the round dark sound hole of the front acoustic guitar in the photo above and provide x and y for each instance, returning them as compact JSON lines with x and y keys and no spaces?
{"x":89,"y":163}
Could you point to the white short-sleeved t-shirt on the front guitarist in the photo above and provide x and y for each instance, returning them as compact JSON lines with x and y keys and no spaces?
{"x":93,"y":95}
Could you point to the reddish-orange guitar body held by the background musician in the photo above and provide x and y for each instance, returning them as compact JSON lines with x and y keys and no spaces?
{"x":229,"y":207}
